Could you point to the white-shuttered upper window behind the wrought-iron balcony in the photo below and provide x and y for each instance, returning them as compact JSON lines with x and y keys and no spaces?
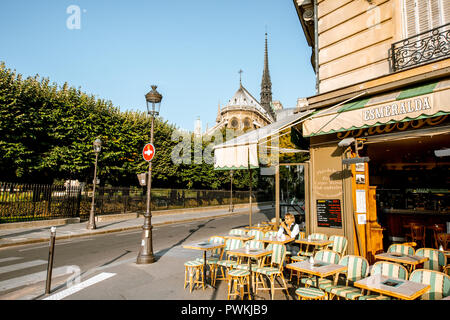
{"x":423,"y":15}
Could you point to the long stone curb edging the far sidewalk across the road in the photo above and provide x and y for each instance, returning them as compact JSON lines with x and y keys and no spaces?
{"x":96,"y":232}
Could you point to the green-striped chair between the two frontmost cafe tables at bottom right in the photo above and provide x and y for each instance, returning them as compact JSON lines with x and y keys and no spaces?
{"x":357,"y":268}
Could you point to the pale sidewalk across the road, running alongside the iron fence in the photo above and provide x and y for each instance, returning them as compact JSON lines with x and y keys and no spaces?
{"x":20,"y":236}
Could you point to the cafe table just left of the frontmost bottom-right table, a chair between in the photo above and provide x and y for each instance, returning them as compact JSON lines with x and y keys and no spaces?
{"x":319,"y":269}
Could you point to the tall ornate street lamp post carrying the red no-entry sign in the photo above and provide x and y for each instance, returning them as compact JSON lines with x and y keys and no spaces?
{"x":153,"y":99}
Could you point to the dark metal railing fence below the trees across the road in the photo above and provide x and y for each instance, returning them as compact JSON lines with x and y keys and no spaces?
{"x":29,"y":202}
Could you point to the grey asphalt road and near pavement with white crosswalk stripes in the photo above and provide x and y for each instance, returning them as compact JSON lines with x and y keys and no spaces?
{"x":103,"y":266}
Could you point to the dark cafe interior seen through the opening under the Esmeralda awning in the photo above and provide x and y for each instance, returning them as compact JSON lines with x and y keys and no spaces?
{"x":412,"y":187}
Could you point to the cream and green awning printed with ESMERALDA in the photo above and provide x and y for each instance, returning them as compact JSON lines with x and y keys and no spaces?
{"x":418,"y":102}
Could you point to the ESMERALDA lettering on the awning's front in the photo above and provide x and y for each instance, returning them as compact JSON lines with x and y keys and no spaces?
{"x":397,"y":108}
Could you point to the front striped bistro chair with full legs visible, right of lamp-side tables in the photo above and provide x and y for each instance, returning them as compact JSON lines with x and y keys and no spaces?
{"x":273,"y":271}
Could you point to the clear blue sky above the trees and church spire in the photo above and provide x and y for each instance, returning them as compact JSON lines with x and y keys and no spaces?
{"x":192,"y":50}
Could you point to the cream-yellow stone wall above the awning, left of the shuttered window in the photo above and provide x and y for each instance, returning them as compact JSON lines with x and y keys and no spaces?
{"x":354,"y":39}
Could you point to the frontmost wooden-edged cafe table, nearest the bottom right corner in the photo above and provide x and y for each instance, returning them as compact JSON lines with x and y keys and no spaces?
{"x":393,"y":287}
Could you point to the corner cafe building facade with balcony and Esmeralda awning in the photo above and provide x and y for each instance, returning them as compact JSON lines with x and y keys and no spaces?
{"x":381,"y":121}
